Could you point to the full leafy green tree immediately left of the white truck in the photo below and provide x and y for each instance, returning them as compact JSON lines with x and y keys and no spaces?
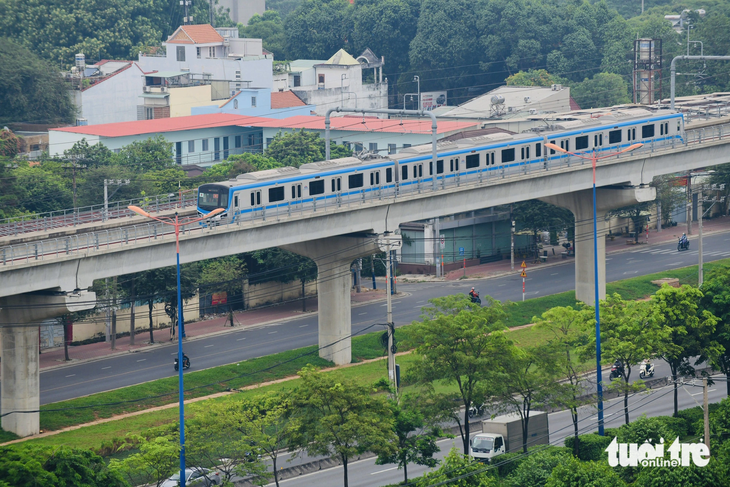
{"x":460,"y":343}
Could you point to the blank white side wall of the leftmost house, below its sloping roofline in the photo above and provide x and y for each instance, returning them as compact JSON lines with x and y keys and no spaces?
{"x":113,"y":100}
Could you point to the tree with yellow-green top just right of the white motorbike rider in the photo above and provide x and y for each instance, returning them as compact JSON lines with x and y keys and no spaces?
{"x":691,"y":332}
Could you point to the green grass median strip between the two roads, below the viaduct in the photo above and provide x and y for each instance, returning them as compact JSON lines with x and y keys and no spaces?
{"x":269,"y":368}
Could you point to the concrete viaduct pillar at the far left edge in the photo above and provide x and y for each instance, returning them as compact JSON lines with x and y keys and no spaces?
{"x":20,"y":316}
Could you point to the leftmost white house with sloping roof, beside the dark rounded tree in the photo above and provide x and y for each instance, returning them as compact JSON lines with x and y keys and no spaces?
{"x":107,"y":92}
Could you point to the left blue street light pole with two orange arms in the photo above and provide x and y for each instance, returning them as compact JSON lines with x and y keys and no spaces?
{"x":177,"y":223}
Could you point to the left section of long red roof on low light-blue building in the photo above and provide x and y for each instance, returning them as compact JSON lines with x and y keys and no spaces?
{"x":161,"y":125}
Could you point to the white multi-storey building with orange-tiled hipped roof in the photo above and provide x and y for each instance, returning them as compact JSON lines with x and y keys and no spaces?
{"x":217,"y":54}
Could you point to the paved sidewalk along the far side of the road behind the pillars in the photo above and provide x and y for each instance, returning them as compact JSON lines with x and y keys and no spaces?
{"x":272,"y":314}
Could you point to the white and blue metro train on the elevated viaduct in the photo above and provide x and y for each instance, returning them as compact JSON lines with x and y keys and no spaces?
{"x":253,"y":194}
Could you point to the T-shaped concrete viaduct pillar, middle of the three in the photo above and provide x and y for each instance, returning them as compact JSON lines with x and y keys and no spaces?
{"x":333,"y":257}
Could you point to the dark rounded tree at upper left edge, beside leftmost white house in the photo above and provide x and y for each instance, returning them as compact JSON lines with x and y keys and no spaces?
{"x":32,"y":90}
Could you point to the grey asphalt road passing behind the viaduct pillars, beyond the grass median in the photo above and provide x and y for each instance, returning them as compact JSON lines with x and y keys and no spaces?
{"x":119,"y":371}
